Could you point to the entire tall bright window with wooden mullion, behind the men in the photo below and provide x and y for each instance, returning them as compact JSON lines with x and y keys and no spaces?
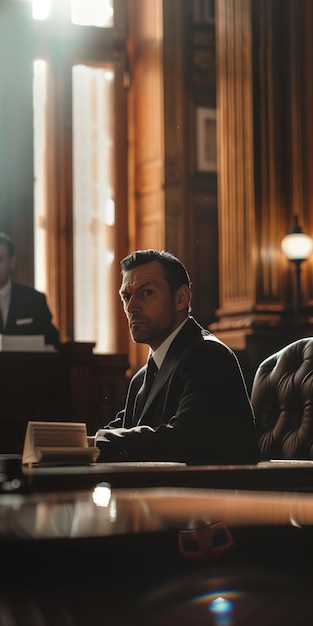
{"x":83,"y":105}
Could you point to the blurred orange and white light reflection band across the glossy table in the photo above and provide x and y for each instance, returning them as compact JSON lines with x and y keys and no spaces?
{"x":102,"y":511}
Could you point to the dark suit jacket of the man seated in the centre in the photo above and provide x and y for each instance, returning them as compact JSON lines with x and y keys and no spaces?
{"x":198,"y":411}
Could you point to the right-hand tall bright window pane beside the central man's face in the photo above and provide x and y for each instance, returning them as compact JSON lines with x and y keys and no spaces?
{"x":94,"y":205}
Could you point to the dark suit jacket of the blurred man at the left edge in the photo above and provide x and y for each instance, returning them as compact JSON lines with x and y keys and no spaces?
{"x":29,"y":314}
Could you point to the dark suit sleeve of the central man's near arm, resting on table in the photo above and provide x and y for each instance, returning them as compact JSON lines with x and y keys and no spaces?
{"x":211,"y":422}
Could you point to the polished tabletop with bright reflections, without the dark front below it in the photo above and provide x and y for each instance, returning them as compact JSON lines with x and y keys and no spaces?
{"x":106,"y":499}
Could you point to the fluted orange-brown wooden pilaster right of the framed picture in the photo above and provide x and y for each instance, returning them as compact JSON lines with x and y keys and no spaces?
{"x":235,"y":153}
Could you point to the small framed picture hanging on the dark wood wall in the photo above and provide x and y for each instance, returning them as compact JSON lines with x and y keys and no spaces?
{"x":206,"y":139}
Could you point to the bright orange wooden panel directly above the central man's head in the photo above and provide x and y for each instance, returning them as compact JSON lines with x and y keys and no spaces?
{"x":148,"y":140}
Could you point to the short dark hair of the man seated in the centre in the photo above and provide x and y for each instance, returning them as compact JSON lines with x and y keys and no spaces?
{"x":174,"y":270}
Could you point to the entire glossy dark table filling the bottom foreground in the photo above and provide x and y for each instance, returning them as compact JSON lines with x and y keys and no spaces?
{"x":90,"y":552}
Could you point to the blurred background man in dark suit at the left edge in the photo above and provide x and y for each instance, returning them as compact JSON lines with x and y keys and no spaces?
{"x":23,"y":310}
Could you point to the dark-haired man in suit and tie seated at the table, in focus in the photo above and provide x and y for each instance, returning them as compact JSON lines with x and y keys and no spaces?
{"x":198,"y":410}
